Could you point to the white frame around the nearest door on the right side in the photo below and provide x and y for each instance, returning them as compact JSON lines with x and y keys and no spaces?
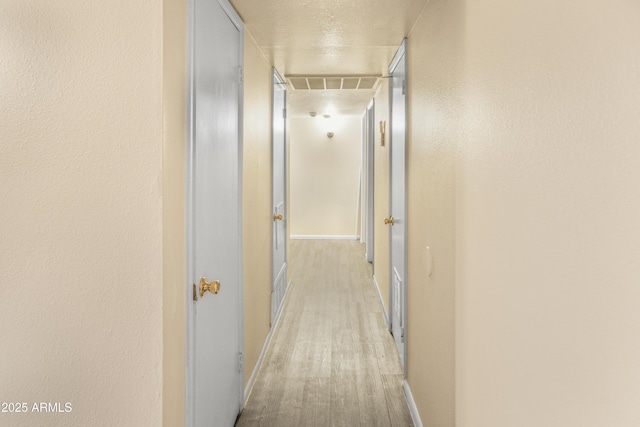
{"x":399,"y":55}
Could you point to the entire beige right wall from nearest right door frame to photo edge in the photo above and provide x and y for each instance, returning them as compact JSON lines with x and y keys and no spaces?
{"x":524,"y":183}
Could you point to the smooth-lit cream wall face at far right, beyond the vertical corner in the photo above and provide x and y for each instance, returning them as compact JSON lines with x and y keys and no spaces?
{"x":548,"y":201}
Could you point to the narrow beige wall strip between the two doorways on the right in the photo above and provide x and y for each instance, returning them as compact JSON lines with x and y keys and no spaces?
{"x":381,"y":197}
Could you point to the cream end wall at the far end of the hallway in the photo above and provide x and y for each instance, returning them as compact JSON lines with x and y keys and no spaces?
{"x":324,"y":175}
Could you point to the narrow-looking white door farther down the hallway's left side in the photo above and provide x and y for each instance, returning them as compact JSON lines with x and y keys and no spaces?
{"x":279,"y":229}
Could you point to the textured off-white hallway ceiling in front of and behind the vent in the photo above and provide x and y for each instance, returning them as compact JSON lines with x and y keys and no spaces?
{"x":329,"y":37}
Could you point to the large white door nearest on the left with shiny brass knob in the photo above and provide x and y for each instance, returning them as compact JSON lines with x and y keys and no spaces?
{"x":214,"y":359}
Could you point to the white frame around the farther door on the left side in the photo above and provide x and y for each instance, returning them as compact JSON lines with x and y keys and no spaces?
{"x":278,"y":80}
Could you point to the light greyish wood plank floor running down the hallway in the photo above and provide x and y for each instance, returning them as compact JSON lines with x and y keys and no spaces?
{"x":331,"y":361}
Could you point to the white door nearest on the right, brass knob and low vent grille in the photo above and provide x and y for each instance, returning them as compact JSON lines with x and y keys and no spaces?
{"x":397,"y":199}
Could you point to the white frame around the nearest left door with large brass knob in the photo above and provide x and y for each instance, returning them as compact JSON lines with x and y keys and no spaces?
{"x":190,"y":211}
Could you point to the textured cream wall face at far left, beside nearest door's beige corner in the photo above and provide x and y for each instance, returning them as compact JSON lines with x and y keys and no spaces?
{"x":81,"y":224}
